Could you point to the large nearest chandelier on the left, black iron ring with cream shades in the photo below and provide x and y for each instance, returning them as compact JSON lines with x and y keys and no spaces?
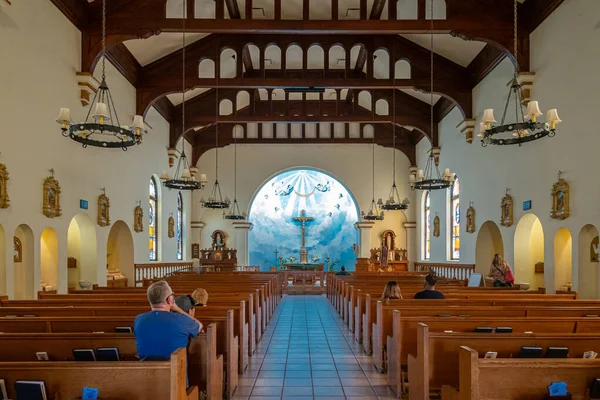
{"x":101,"y":127}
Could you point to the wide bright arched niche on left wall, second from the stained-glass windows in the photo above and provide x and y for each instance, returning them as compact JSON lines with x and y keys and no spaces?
{"x":81,"y":247}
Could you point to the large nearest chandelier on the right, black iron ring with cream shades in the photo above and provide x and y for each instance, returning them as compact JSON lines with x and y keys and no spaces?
{"x":525,"y":128}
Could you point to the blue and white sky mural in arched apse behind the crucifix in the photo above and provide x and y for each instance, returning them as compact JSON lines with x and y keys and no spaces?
{"x":281,"y":198}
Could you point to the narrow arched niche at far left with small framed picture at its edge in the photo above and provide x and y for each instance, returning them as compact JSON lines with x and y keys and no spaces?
{"x":24,"y":269}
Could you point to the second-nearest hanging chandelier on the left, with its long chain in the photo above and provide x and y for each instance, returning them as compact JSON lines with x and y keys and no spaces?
{"x":184,"y":178}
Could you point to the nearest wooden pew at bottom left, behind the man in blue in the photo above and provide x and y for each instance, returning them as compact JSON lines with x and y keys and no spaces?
{"x":115,"y":380}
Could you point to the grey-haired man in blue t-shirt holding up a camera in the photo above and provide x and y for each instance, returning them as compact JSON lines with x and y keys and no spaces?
{"x":166,"y":328}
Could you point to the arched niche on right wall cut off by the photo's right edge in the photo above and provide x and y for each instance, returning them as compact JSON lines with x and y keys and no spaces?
{"x":588,"y":274}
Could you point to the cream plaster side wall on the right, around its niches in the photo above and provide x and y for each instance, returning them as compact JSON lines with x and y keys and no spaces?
{"x":565,"y":57}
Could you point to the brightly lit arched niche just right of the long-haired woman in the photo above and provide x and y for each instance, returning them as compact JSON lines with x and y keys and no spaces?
{"x":529,"y":250}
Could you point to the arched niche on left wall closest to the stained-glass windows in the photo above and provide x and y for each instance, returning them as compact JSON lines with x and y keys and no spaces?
{"x":120,"y":251}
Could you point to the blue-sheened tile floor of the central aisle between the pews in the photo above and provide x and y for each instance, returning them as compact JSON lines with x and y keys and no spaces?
{"x":307,"y":353}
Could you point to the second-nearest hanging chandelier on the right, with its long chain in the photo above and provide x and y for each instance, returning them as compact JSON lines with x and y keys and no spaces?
{"x":431,"y":179}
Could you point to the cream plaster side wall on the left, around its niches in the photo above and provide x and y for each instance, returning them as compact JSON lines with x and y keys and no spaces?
{"x":37,"y":77}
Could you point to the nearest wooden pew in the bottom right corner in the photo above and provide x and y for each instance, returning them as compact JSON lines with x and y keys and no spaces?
{"x":521,"y":378}
